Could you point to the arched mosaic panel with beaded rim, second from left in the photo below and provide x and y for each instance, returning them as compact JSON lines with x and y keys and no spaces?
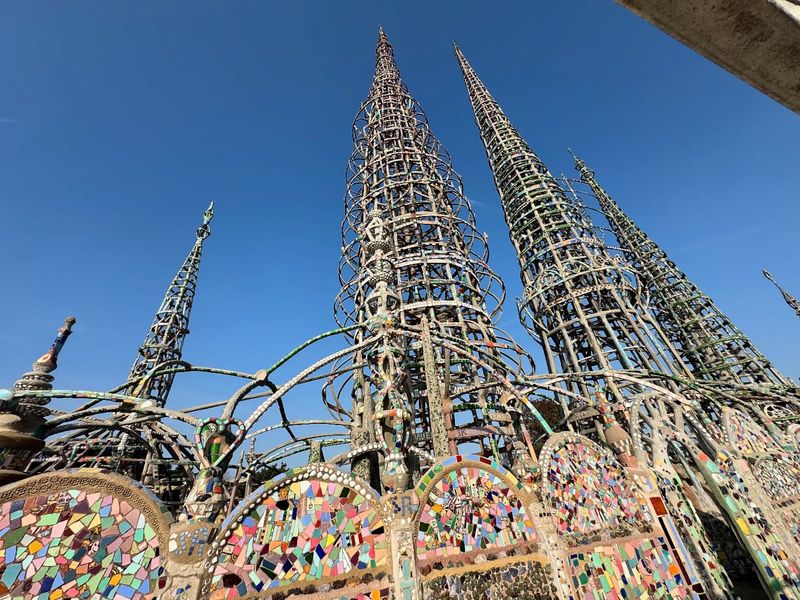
{"x":315,"y":524}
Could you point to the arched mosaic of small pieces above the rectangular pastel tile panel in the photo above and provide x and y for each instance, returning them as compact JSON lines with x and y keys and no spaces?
{"x":587,"y":490}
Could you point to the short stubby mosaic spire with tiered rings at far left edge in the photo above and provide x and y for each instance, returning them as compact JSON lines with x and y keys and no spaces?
{"x":21,"y":416}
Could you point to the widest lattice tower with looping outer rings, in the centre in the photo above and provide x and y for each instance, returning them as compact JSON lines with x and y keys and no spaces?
{"x":410,"y":246}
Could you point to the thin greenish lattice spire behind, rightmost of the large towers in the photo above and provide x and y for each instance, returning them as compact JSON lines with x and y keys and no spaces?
{"x":714,"y":347}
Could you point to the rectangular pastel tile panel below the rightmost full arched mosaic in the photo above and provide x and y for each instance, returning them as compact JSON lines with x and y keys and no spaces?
{"x":635,"y":569}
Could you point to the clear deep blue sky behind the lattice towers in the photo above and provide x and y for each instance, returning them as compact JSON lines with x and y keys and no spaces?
{"x":118,"y":121}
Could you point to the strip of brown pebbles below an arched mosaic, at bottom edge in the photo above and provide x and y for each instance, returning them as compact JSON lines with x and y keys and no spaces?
{"x":523,"y":581}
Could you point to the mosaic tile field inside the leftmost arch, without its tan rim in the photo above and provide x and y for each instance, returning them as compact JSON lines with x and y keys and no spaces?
{"x":76,"y":545}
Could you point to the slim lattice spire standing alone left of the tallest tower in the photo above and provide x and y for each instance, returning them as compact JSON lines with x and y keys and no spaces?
{"x":164,"y":340}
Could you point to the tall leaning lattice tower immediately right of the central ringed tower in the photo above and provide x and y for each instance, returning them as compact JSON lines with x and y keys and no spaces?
{"x":580,"y":302}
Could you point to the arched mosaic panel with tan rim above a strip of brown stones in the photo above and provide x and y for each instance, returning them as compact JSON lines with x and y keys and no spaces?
{"x":468,"y":506}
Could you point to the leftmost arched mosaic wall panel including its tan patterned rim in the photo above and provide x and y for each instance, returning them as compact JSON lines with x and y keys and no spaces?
{"x":88,"y":530}
